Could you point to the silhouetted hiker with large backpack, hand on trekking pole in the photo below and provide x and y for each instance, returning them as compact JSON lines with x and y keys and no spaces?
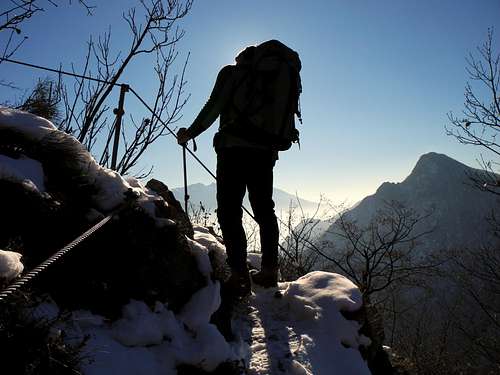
{"x":256,"y":99}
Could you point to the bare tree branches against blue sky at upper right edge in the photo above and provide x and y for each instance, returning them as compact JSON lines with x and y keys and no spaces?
{"x":479,"y":123}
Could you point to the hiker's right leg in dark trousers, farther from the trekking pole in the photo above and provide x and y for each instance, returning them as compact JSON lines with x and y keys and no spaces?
{"x":260,"y":193}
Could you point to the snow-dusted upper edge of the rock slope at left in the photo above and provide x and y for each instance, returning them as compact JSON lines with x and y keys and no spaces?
{"x":55,"y":147}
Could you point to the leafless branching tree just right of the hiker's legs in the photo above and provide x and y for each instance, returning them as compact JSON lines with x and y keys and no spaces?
{"x":374,"y":256}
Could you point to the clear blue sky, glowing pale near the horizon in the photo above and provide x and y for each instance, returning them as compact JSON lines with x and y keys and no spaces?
{"x":379,"y":78}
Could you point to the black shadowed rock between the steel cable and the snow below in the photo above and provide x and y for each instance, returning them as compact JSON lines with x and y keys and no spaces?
{"x":130,"y":258}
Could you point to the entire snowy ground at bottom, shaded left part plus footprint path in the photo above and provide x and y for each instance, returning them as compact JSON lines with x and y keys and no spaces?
{"x":300,"y":332}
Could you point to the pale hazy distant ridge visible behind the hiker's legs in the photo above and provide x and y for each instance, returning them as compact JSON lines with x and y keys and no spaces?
{"x":207,"y":195}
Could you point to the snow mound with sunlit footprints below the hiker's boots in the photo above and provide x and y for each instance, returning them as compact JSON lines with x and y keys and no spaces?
{"x":302,"y":332}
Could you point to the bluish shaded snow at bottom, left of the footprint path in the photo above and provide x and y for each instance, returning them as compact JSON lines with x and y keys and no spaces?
{"x":154,"y":341}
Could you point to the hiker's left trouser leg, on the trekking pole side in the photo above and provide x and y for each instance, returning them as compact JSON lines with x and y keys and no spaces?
{"x":230,"y":192}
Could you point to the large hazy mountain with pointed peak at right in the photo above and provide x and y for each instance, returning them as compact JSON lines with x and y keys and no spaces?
{"x":440,"y":184}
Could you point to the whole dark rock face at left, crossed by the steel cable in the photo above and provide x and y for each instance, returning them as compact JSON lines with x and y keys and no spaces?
{"x":141,"y":254}
